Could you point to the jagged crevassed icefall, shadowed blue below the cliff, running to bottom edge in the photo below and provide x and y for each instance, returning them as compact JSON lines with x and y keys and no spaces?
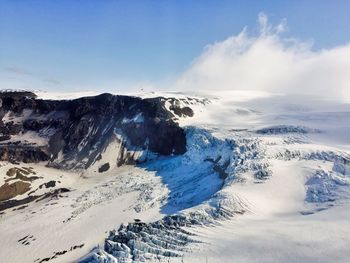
{"x":197,"y":182}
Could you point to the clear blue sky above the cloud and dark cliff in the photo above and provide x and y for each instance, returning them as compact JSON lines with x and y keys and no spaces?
{"x":106,"y":45}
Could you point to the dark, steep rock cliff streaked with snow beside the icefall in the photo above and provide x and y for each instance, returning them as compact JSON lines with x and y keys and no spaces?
{"x":74,"y":133}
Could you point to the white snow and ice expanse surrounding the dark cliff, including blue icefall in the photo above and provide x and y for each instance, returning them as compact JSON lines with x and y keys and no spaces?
{"x":261,"y":174}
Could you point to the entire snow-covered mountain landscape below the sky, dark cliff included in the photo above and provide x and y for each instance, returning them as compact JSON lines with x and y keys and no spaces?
{"x":174,"y":177}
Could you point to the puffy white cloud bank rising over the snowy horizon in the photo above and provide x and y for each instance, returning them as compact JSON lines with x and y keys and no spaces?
{"x":269,"y":62}
